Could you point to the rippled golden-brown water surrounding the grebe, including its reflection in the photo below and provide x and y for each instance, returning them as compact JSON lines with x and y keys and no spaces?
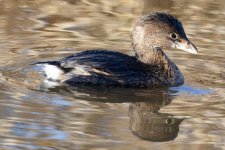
{"x":187,"y":117}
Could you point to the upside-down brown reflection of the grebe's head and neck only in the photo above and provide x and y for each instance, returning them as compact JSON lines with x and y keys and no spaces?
{"x":148,"y":124}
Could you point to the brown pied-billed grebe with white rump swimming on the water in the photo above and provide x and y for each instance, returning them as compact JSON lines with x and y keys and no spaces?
{"x":149,"y":67}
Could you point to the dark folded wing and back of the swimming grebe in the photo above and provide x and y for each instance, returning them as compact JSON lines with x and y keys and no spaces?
{"x":102,"y":67}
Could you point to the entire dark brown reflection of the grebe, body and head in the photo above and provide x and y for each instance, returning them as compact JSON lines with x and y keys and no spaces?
{"x":146,"y":122}
